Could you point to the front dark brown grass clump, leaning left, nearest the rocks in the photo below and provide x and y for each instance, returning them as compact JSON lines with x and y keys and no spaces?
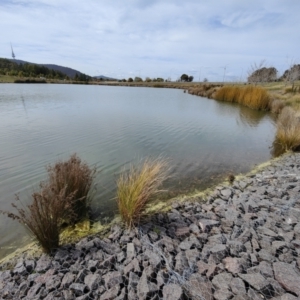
{"x":43,"y":218}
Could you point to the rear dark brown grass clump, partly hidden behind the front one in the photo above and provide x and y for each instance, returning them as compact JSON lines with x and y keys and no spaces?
{"x":76,"y":177}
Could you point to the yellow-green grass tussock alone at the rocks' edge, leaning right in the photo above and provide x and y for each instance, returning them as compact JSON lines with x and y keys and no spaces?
{"x":137,"y":187}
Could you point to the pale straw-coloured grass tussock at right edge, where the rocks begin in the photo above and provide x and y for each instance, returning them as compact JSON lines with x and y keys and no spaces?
{"x":288,"y":129}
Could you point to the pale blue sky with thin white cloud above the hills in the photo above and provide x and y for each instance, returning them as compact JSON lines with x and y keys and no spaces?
{"x":155,"y":38}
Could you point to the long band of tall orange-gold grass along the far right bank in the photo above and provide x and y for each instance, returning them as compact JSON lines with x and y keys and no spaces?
{"x":251,"y":96}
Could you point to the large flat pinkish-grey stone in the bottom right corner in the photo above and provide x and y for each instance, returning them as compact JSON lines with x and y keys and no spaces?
{"x":286,"y":275}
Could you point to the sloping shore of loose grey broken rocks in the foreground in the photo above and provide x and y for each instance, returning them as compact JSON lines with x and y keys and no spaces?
{"x":243,"y":242}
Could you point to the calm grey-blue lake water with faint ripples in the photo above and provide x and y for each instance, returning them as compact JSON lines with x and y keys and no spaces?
{"x":111,"y":127}
